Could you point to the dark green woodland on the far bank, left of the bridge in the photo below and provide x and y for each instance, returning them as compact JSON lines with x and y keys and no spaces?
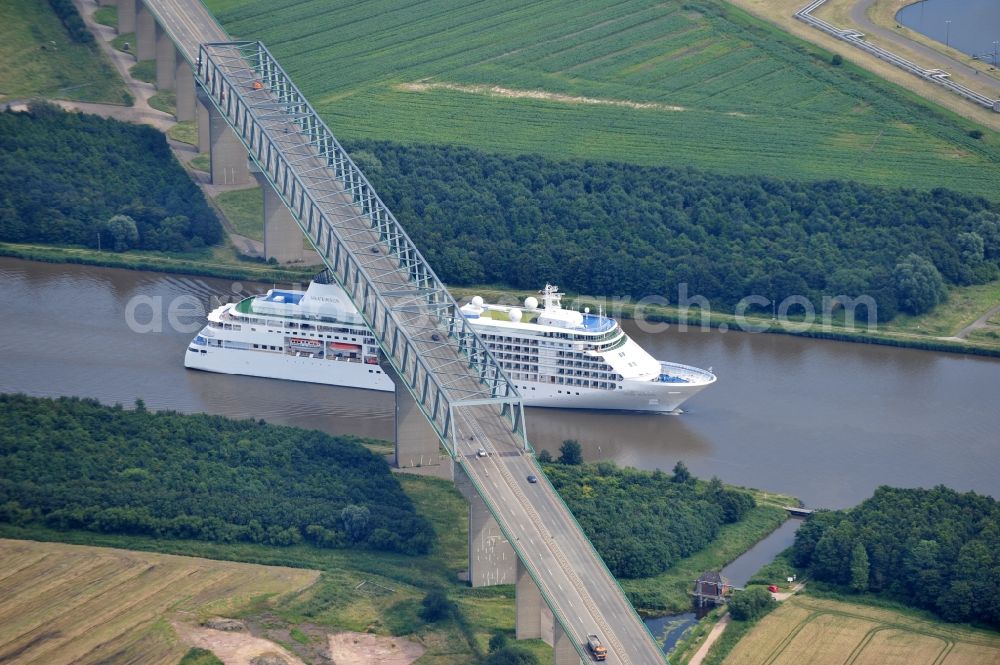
{"x":65,"y":176}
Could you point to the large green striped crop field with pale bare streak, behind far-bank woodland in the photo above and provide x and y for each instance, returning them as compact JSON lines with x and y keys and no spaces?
{"x":678,"y":83}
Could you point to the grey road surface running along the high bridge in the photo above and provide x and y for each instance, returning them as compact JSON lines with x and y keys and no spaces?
{"x":571,"y":577}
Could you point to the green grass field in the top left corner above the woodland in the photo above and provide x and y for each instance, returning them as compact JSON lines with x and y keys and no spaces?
{"x":37,"y":59}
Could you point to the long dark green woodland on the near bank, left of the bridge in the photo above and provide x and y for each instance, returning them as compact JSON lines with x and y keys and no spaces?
{"x":75,"y":464}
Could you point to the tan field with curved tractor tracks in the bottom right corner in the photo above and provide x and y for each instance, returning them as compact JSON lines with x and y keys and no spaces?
{"x":810,"y":631}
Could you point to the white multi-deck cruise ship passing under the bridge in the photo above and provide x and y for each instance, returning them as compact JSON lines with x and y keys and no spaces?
{"x":556,"y":357}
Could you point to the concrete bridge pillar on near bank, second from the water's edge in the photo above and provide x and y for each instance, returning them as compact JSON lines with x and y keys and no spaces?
{"x":491,"y":558}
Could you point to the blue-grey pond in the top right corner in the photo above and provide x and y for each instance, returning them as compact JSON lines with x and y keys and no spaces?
{"x":971,"y":26}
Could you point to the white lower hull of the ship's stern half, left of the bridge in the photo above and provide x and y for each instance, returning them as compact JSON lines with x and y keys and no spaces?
{"x":288,"y":367}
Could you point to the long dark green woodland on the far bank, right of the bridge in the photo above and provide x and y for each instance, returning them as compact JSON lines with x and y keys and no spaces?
{"x":619,"y":229}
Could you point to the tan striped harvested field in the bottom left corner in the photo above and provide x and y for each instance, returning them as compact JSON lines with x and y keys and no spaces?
{"x":71,"y":604}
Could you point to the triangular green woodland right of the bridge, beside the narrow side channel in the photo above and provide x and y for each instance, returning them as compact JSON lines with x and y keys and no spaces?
{"x":642,"y":523}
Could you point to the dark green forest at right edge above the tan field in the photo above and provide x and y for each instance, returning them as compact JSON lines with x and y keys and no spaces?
{"x":935,"y":549}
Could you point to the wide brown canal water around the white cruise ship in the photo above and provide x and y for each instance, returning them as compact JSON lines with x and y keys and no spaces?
{"x":825,"y":421}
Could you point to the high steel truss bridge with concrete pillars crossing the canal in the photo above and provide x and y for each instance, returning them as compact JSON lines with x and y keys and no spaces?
{"x":450,"y":390}
